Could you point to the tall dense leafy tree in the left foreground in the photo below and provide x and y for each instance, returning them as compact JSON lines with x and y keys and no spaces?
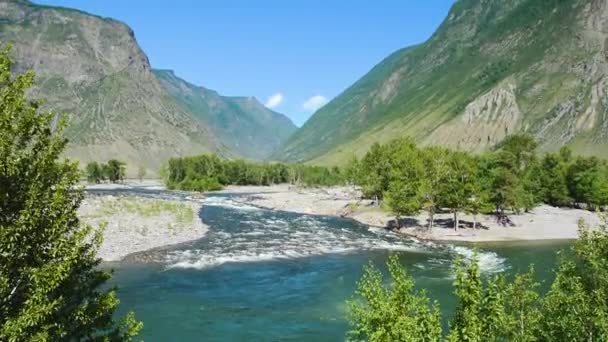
{"x":50,"y":283}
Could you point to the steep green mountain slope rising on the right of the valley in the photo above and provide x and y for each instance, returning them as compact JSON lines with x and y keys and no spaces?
{"x":492,"y":68}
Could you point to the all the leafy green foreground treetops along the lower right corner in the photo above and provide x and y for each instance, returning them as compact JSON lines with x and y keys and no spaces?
{"x":494,"y":309}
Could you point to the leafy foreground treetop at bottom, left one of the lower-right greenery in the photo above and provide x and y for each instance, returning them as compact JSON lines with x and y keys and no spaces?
{"x":393,"y":313}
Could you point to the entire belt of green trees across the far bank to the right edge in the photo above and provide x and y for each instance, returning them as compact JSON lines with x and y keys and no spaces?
{"x":406,"y":178}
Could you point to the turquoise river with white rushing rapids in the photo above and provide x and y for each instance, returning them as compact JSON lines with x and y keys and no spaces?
{"x":262,"y":275}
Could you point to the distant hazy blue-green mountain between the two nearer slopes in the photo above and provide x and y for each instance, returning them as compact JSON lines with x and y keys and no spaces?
{"x":242,"y":124}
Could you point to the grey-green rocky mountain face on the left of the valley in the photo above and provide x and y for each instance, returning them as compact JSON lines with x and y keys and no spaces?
{"x":92,"y":69}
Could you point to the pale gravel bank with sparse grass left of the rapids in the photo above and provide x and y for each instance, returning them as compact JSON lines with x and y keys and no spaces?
{"x":134,"y":224}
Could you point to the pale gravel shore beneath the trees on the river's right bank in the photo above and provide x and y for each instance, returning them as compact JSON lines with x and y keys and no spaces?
{"x":542,"y":223}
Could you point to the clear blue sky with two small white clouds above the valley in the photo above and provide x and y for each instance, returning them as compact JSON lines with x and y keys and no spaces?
{"x":292,"y":55}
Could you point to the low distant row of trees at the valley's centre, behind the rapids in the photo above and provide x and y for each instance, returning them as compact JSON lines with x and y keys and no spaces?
{"x":208,"y":172}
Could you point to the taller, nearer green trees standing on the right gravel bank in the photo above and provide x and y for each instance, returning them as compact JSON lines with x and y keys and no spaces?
{"x":512,"y":178}
